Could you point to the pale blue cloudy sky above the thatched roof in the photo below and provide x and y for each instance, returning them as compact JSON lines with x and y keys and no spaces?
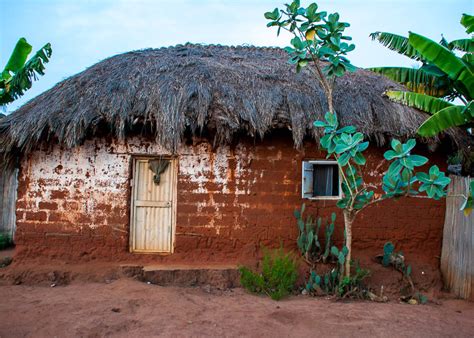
{"x":84,"y":32}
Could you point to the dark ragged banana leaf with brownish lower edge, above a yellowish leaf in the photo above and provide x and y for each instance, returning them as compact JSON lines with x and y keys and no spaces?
{"x":417,"y":80}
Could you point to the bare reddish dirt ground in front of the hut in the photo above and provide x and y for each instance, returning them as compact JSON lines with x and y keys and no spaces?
{"x":130,"y":308}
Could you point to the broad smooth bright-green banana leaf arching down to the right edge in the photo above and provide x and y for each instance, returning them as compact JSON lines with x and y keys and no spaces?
{"x":445,"y":60}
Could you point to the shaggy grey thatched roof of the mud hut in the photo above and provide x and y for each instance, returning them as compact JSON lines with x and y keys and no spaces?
{"x":221,"y":90}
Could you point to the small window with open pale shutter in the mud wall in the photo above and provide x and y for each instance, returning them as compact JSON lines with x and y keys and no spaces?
{"x":321,"y":180}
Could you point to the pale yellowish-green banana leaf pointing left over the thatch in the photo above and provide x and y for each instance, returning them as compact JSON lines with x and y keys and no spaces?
{"x":423,"y":102}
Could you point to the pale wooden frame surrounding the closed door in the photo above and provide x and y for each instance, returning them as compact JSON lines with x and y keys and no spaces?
{"x":174,"y":174}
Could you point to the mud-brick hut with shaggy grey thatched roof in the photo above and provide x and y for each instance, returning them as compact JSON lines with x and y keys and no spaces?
{"x":200,"y":153}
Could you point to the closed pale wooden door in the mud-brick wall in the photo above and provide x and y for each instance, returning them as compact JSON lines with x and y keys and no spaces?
{"x":153,"y":207}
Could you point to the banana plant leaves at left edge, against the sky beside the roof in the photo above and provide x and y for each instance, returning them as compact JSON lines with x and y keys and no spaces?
{"x":19,"y":72}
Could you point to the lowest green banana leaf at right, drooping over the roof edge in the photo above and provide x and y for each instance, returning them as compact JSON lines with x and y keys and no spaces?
{"x":444,"y":119}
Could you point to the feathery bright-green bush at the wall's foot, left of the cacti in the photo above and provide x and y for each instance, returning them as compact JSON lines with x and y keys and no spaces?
{"x":278,"y":276}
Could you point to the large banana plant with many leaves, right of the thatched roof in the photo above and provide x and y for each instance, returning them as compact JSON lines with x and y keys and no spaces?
{"x":442,"y":77}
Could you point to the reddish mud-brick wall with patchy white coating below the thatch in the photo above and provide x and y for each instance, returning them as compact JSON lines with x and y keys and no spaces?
{"x":74,"y":204}
